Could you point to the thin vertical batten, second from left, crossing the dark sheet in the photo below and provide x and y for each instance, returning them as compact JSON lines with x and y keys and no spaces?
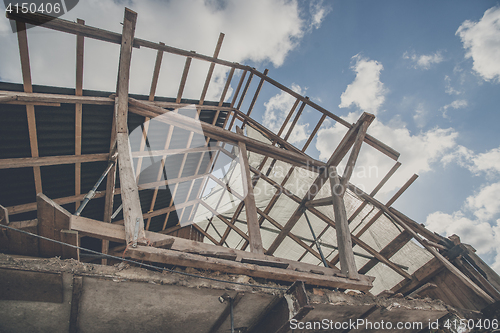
{"x":78,"y":109}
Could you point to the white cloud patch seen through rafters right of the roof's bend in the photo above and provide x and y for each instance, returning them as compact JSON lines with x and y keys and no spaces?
{"x":277,"y":109}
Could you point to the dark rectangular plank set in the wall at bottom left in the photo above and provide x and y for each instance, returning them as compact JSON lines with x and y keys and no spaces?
{"x":20,"y":285}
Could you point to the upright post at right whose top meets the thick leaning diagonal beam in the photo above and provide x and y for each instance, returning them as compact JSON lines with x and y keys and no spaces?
{"x":344,"y":242}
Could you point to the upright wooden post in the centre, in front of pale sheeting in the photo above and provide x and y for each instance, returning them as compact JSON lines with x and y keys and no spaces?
{"x":251,"y":209}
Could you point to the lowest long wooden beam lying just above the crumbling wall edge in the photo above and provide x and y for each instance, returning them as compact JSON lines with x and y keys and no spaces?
{"x":192,"y":260}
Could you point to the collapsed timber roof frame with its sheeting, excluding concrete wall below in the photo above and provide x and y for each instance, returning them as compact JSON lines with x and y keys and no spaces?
{"x":255,"y":204}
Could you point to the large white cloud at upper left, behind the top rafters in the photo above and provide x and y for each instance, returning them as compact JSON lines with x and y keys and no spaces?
{"x":259,"y":31}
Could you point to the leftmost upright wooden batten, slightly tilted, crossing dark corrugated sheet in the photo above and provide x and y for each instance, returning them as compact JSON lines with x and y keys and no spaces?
{"x":22,"y":38}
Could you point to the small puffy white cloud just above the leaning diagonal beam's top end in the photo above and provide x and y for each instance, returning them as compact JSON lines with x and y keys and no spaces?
{"x":366,"y":91}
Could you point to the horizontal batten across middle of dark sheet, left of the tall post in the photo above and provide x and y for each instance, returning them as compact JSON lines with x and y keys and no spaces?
{"x":12,"y":163}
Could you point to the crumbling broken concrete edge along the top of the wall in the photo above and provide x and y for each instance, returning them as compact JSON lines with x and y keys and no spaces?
{"x":124,"y":272}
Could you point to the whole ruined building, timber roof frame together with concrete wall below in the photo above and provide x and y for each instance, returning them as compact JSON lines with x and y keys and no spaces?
{"x":198,"y":187}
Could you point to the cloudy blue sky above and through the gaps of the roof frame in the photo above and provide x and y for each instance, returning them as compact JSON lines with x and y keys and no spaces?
{"x":428,"y":70}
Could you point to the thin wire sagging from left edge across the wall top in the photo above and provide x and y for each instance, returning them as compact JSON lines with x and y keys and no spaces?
{"x":139,"y":263}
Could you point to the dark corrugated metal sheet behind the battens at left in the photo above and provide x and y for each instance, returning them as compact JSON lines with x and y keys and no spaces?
{"x":56,"y":136}
